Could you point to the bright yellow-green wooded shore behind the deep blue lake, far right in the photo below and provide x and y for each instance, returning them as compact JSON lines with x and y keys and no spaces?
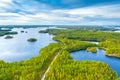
{"x":112,"y":47}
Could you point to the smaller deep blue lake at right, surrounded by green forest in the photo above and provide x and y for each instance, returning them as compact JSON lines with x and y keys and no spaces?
{"x":99,"y":56}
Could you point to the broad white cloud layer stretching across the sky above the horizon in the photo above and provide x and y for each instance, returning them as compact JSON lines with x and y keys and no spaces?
{"x":85,"y":15}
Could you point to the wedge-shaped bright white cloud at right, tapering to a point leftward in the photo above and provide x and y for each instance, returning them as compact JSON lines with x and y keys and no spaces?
{"x":109,"y":11}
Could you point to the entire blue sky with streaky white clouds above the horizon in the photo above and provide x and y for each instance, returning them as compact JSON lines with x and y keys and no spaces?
{"x":64,"y":12}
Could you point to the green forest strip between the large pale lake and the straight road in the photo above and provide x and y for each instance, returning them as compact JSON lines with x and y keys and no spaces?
{"x":31,"y":69}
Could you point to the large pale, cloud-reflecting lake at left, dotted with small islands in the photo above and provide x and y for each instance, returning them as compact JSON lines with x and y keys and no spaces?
{"x":18,"y":48}
